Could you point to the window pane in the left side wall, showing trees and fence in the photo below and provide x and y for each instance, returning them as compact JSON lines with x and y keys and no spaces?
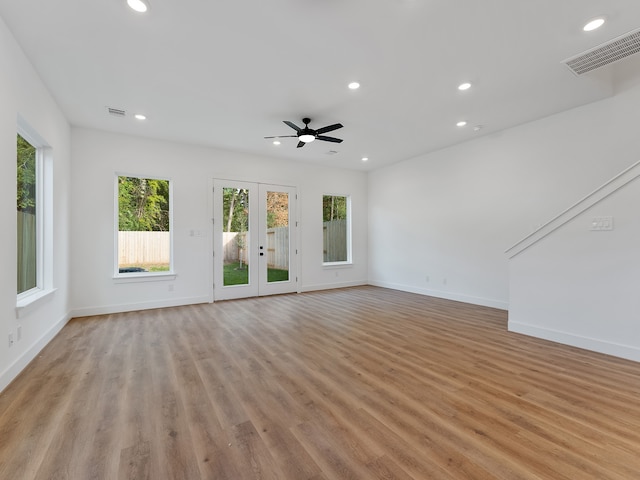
{"x":26,"y":202}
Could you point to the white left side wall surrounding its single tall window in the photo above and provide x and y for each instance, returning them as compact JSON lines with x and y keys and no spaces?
{"x":22,"y":93}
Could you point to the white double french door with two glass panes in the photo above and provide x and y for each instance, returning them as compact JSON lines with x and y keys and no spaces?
{"x":254,"y":239}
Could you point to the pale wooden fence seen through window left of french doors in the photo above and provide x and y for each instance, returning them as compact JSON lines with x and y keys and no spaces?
{"x":144,"y":248}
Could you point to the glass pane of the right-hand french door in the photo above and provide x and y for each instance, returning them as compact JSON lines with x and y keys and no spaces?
{"x":277,"y":242}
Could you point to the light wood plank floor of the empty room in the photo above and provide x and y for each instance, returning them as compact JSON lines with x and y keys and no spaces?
{"x":360,"y":383}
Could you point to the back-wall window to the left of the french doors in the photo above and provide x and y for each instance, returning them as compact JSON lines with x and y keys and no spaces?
{"x":144,"y":226}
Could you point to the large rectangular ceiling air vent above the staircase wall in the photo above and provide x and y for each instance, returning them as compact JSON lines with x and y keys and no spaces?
{"x":604,"y":54}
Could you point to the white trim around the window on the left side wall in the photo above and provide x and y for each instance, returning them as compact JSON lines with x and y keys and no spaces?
{"x":44,"y":219}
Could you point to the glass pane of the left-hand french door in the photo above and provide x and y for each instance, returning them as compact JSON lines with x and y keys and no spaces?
{"x":235,"y":235}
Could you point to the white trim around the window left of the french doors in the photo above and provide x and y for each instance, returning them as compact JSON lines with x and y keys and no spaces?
{"x":134,"y":277}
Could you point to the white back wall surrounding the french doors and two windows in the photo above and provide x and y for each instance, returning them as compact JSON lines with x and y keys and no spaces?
{"x":97,"y":156}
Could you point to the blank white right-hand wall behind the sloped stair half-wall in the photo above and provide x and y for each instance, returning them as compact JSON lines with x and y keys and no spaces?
{"x":453,"y":213}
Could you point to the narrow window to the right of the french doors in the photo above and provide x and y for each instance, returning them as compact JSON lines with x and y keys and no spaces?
{"x":336,"y":218}
